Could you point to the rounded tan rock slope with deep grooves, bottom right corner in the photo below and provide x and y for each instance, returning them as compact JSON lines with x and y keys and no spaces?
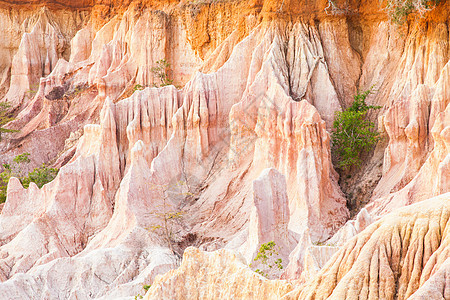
{"x":404,"y":252}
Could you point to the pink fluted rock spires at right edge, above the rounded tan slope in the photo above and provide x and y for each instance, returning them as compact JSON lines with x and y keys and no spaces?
{"x":409,"y":124}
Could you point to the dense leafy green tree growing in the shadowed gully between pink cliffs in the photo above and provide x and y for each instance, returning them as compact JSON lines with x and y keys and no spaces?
{"x":353,"y":132}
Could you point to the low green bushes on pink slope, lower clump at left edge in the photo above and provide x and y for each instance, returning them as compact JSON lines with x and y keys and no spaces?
{"x":39,"y":176}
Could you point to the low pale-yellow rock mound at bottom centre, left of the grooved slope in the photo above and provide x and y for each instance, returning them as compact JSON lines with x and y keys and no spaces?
{"x":221,"y":274}
